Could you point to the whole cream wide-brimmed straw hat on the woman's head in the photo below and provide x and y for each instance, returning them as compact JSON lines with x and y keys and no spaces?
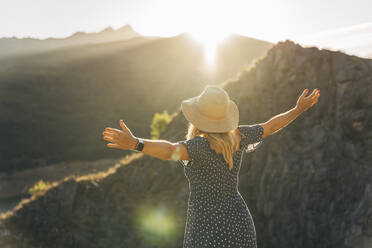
{"x":211,"y":111}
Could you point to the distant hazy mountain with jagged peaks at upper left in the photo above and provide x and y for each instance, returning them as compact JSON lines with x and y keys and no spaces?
{"x":15,"y":46}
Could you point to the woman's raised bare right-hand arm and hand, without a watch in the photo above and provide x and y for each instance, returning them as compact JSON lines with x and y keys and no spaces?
{"x":281,"y":120}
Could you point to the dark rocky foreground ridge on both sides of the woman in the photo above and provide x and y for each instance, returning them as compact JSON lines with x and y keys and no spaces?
{"x":308,"y":185}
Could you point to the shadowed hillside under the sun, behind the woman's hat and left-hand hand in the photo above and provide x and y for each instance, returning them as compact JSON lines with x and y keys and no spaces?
{"x":54,"y":105}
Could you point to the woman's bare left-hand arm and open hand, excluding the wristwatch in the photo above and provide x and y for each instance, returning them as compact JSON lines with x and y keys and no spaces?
{"x":125,"y":140}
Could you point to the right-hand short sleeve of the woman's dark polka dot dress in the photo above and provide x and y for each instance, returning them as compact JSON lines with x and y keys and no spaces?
{"x":252,"y":135}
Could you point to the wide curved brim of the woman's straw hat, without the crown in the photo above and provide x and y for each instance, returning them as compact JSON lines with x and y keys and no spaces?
{"x":191,"y":113}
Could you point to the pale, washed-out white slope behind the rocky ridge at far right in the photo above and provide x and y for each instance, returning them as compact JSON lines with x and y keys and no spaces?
{"x":354,"y":40}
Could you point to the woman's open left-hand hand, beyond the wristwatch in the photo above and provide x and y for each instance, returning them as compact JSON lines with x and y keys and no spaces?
{"x":120,"y":139}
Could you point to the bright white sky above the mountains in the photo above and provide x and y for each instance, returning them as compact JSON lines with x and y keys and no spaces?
{"x":270,"y":20}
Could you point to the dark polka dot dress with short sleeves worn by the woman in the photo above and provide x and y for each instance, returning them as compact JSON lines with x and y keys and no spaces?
{"x":217,"y":215}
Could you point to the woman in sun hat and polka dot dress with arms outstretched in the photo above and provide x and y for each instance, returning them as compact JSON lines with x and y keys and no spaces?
{"x":211,"y":155}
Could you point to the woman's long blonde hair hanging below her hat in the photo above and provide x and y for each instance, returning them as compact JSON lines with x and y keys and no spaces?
{"x":226,"y":142}
